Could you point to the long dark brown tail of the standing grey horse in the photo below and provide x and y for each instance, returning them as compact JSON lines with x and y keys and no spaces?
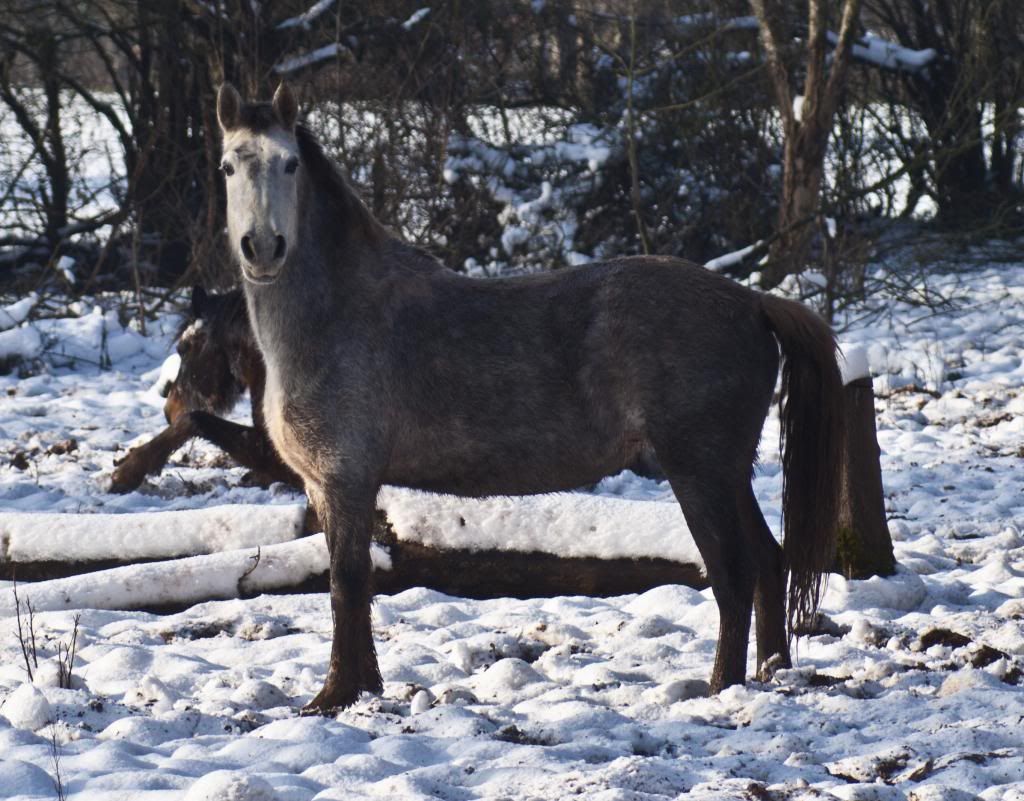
{"x":812,"y":412}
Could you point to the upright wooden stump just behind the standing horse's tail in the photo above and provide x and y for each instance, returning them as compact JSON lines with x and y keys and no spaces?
{"x":865,"y":547}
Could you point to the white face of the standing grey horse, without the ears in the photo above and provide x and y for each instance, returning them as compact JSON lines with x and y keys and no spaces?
{"x":261,"y":176}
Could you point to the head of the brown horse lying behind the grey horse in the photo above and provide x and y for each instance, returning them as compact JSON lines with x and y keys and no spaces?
{"x":209,"y":378}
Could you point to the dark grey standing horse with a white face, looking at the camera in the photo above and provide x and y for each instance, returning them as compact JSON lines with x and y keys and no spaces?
{"x":385,"y":367}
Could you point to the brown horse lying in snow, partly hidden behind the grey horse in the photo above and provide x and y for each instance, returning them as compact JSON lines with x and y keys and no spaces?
{"x":220,"y":361}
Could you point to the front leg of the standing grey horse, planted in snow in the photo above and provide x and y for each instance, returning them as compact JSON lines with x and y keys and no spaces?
{"x":347,"y":511}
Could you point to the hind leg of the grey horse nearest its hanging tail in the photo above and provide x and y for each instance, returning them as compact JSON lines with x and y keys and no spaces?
{"x":770,"y":593}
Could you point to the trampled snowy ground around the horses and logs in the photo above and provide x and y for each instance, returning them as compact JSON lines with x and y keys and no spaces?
{"x":912,"y":690}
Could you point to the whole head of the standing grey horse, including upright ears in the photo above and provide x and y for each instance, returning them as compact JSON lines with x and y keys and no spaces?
{"x":262,"y":168}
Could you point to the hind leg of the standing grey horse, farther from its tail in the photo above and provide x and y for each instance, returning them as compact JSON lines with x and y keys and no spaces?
{"x":709,"y":503}
